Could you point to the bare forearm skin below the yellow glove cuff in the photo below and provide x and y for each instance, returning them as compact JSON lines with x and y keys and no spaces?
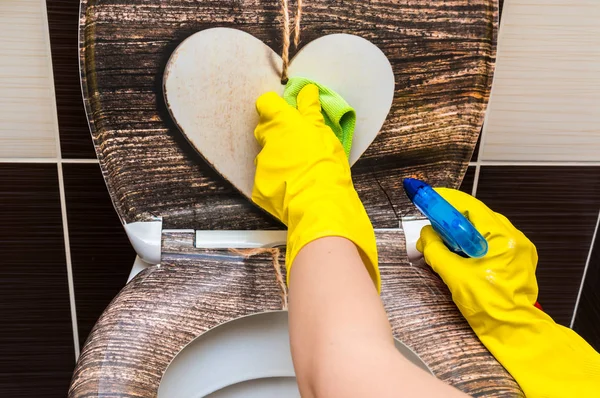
{"x":341,"y":340}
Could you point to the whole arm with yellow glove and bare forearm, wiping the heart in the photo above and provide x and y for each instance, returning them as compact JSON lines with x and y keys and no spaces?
{"x":342,"y":345}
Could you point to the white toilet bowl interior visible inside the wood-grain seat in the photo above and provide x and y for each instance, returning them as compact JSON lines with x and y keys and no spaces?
{"x":223,"y":361}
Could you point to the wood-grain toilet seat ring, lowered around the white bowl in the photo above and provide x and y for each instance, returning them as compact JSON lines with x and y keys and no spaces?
{"x":164,"y":308}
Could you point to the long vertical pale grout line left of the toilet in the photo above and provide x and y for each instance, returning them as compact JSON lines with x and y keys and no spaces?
{"x":61,"y":189}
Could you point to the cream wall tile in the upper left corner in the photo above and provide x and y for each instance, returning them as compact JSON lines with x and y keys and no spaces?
{"x":28,"y":126}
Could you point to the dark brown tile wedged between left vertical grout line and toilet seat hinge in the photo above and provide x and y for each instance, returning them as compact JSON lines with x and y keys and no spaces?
{"x":101,"y":254}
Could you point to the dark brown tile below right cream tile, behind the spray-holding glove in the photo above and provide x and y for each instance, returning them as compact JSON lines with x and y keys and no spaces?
{"x":556,"y":207}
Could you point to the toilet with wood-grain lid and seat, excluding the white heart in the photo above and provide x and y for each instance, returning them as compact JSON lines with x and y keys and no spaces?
{"x":204,"y":312}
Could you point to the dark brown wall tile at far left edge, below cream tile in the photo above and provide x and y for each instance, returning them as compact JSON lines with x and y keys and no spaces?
{"x":36,"y":336}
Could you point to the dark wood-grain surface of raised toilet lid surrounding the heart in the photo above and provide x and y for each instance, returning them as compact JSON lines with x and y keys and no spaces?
{"x":442,"y":55}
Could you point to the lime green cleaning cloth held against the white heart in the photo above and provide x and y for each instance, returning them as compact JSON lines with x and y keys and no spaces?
{"x":338,"y":114}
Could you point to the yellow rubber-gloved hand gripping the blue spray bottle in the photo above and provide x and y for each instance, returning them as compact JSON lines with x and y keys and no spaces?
{"x":496,"y":294}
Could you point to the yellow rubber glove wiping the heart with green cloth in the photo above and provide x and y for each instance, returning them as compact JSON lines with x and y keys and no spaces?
{"x":303,"y":178}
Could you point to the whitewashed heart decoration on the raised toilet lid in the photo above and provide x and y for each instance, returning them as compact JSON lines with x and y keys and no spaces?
{"x":214,"y":77}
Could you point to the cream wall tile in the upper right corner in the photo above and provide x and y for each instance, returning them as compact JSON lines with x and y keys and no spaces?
{"x":545,"y":102}
